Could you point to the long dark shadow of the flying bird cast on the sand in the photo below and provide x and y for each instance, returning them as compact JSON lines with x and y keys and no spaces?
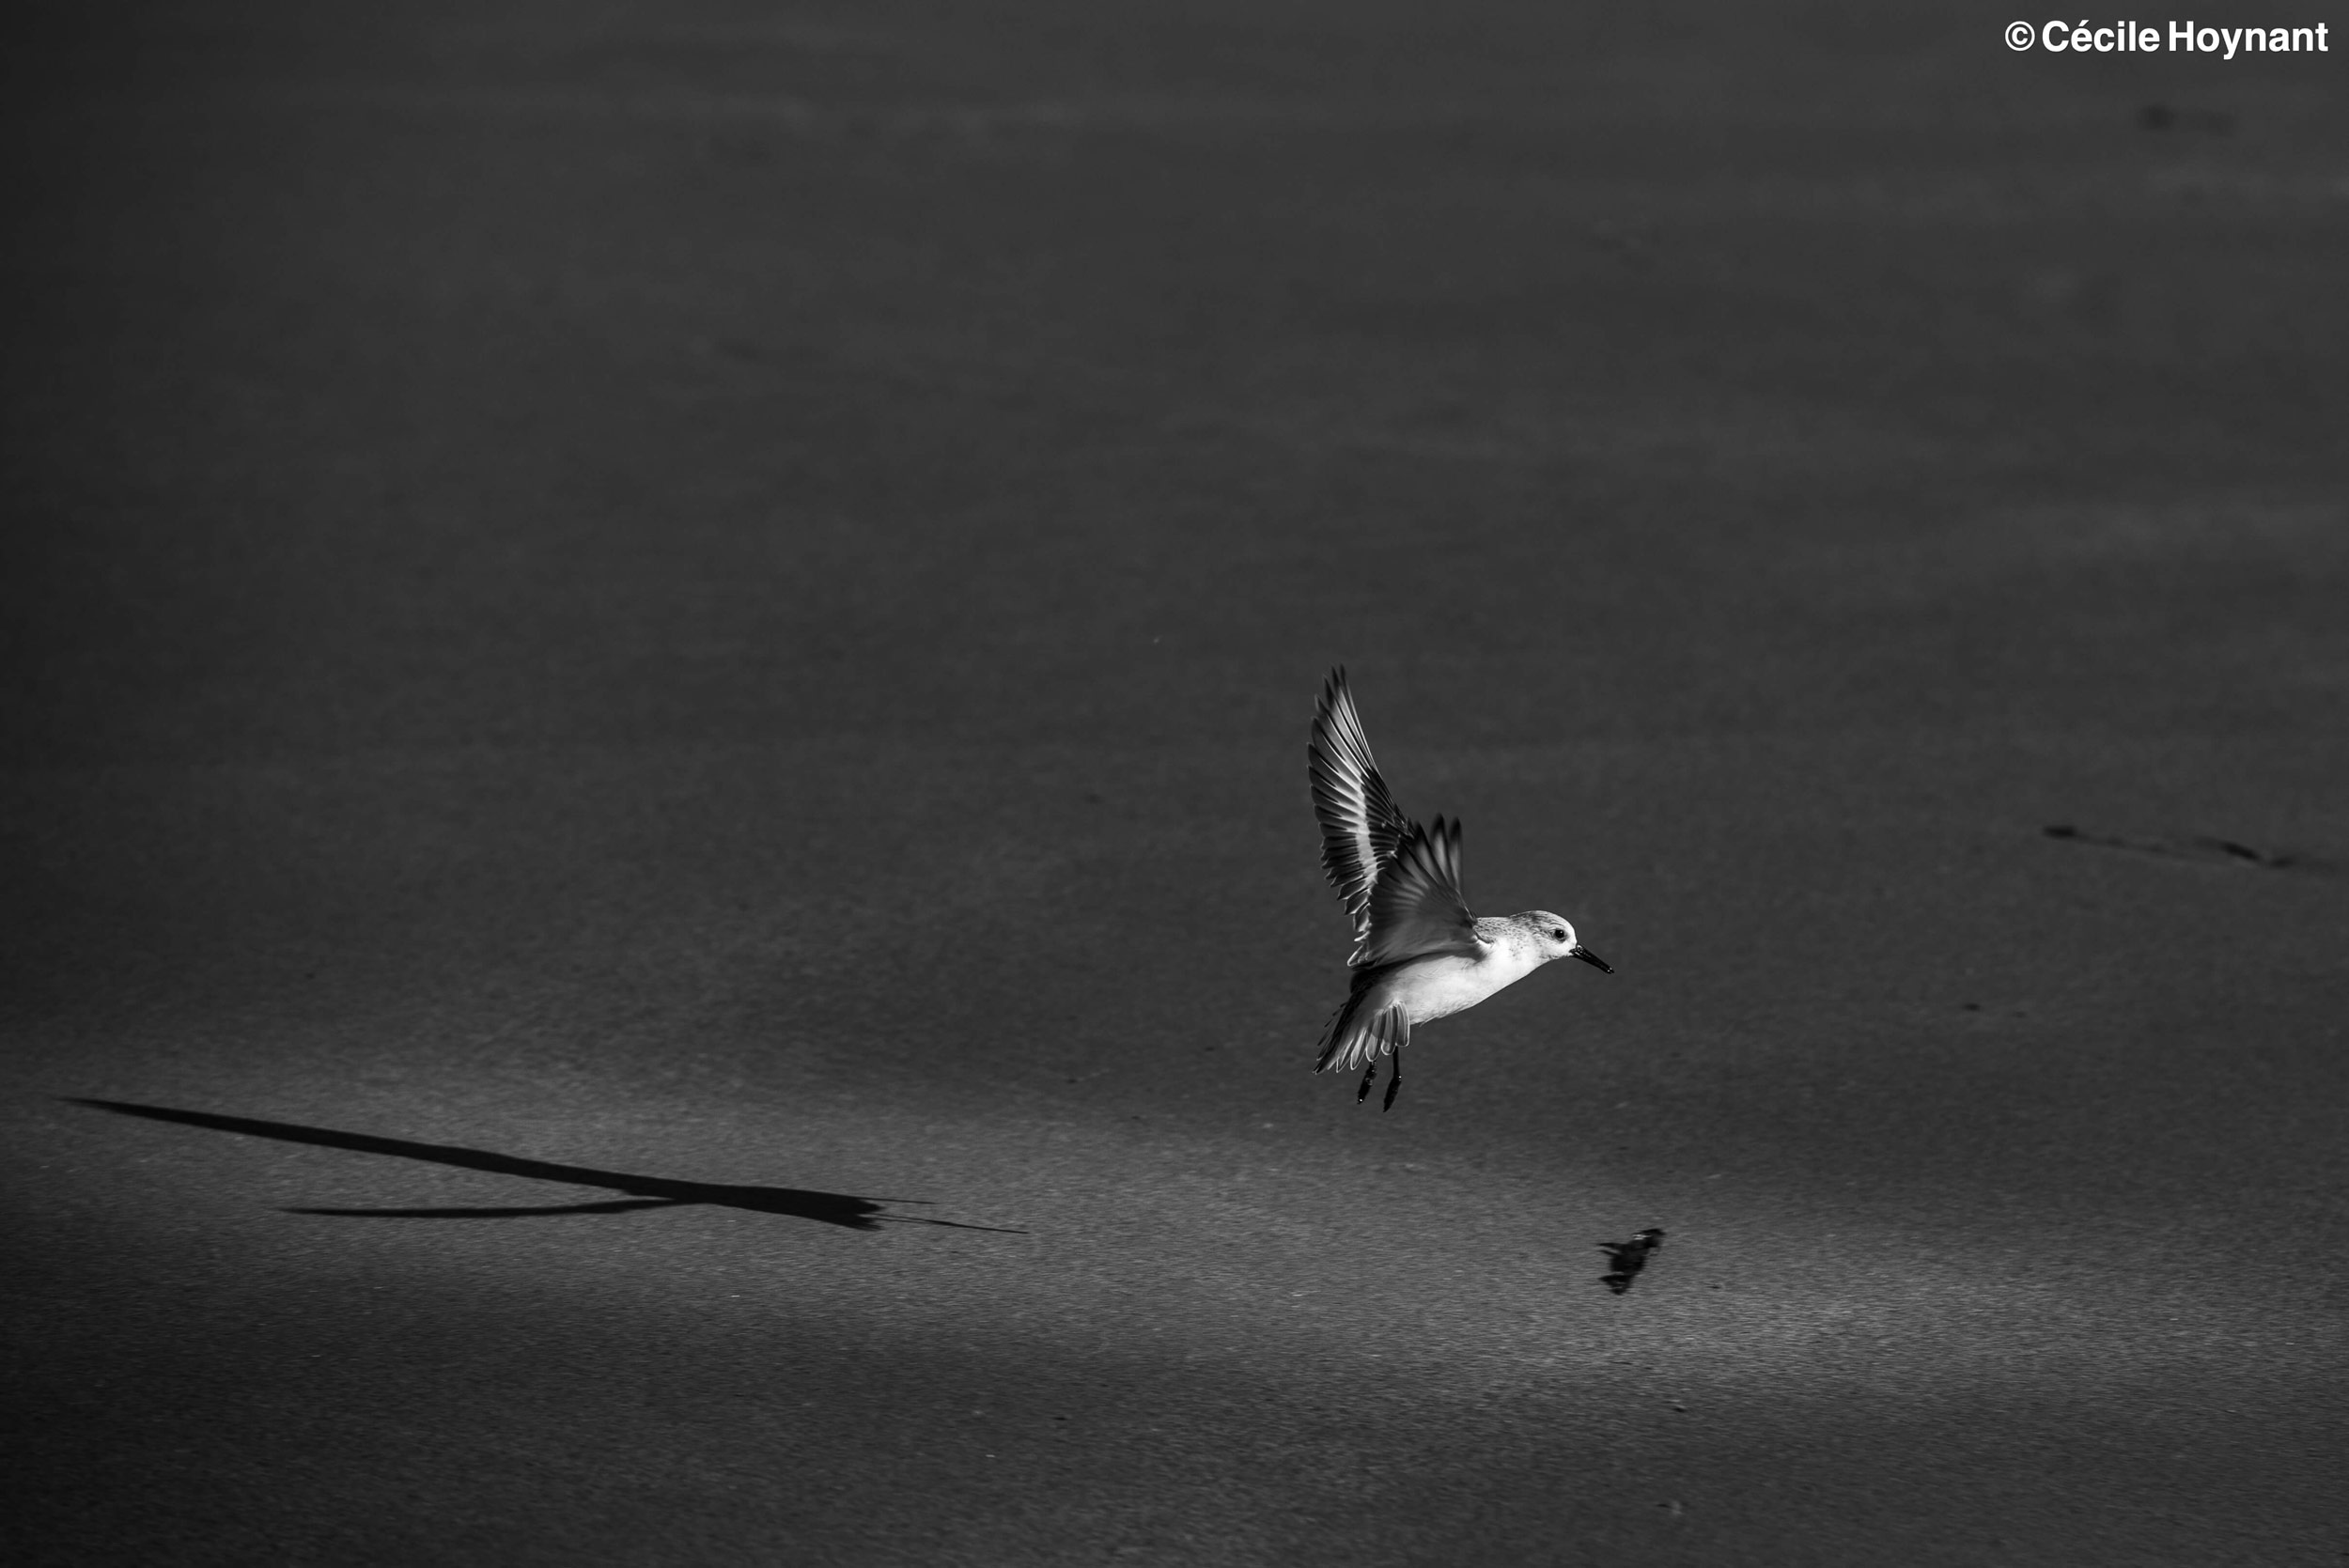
{"x":642,"y":1191}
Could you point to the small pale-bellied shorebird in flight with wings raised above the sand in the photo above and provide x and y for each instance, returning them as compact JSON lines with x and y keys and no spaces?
{"x":1418,"y":952}
